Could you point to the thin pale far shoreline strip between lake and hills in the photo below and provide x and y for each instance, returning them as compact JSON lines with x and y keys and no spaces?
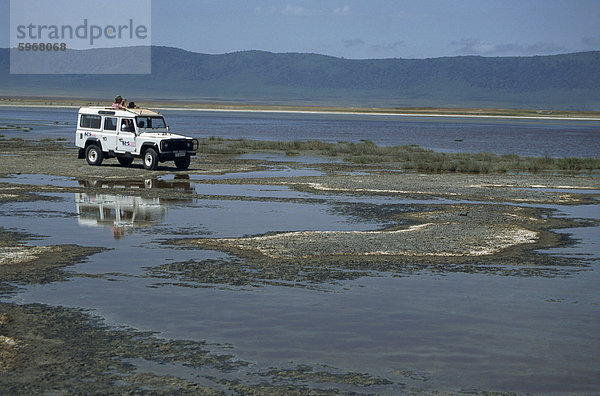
{"x":428,"y":113}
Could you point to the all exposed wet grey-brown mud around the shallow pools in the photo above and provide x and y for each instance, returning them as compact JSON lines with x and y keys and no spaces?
{"x":486,"y":224}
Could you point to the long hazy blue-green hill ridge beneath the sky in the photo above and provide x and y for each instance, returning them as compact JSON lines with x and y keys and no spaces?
{"x":569,"y":82}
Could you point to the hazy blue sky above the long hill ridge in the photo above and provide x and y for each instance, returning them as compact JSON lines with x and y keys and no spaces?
{"x":365,"y":29}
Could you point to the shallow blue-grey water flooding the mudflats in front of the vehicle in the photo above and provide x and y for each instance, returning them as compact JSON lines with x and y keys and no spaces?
{"x":431,"y":331}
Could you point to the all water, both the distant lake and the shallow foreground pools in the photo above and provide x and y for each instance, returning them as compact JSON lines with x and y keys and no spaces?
{"x":435,"y":332}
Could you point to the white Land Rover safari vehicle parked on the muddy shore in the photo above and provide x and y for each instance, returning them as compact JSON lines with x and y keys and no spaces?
{"x":103,"y":132}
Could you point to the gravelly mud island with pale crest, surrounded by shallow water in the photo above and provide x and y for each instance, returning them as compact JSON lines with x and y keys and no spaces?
{"x":498,"y":239}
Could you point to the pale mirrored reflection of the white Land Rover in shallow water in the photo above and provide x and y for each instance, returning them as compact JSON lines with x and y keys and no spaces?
{"x":119,"y":212}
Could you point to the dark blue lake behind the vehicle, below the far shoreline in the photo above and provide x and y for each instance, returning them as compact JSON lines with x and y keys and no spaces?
{"x":556,"y":138}
